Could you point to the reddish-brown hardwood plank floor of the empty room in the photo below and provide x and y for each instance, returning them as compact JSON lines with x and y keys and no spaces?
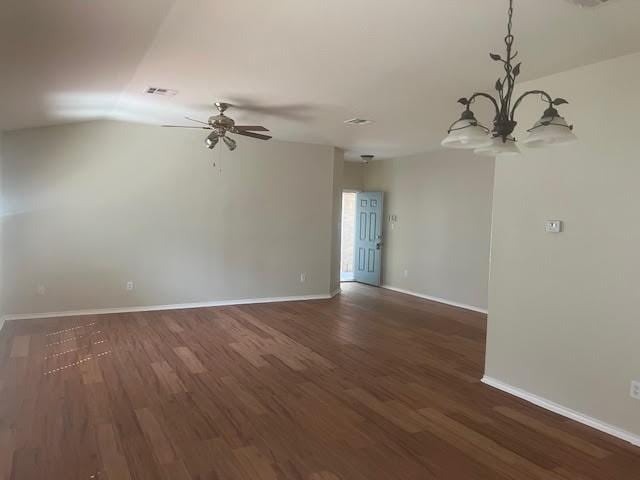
{"x":369,"y":385}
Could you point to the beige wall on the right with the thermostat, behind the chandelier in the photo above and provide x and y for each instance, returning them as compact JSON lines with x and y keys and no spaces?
{"x":564,"y":321}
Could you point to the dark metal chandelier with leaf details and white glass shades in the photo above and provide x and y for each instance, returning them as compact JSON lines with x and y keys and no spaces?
{"x":468,"y":133}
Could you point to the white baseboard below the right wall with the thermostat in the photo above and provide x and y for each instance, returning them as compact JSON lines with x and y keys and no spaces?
{"x":564,"y":411}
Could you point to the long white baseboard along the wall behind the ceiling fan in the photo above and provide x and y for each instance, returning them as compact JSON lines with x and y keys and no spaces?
{"x":176,"y":306}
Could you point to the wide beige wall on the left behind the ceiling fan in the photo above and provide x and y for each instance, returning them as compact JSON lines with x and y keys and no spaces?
{"x":90,"y":206}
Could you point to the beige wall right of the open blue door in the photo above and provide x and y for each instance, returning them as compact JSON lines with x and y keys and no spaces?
{"x":442,"y":201}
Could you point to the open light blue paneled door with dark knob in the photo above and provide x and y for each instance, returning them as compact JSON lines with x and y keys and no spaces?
{"x":367,"y":265}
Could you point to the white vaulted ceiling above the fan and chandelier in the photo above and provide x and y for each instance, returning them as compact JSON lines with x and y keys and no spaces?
{"x":300,"y":67}
